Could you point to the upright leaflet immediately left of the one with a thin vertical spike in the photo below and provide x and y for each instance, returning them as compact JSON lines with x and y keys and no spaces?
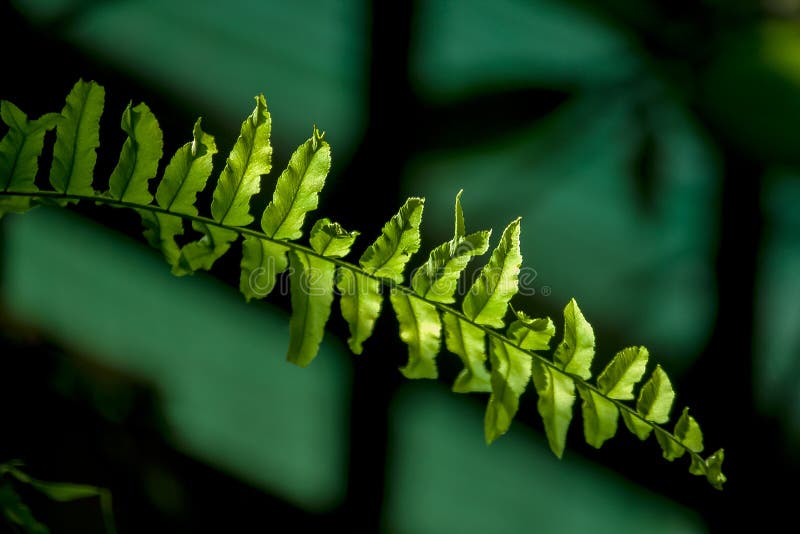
{"x":399,"y":239}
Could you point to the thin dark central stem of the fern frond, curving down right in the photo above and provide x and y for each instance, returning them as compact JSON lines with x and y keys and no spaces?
{"x":443,"y":308}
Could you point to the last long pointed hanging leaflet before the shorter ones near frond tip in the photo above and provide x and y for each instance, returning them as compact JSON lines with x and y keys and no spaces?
{"x":556,"y":397}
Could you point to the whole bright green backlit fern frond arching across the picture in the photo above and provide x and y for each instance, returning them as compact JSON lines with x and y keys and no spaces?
{"x":476,"y":329}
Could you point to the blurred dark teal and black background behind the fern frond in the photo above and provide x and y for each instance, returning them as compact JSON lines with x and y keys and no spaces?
{"x":651,"y":149}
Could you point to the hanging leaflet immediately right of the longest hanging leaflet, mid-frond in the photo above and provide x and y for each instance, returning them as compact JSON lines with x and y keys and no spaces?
{"x":361,"y":301}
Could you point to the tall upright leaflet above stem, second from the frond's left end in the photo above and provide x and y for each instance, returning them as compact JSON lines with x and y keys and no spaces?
{"x":77,"y":138}
